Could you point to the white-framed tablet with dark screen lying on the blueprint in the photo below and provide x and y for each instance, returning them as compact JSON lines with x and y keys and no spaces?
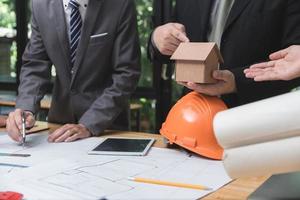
{"x":123,"y":146}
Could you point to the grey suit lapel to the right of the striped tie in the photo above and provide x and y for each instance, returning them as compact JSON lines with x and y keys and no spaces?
{"x":87,"y":28}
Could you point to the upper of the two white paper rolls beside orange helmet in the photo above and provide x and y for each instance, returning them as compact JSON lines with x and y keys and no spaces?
{"x":270,"y":119}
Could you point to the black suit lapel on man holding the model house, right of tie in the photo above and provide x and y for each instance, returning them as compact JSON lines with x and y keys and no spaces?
{"x":238,"y":7}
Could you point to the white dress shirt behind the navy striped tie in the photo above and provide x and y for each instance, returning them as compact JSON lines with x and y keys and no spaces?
{"x":82,"y":9}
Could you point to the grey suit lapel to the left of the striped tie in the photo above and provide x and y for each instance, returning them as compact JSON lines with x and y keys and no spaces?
{"x":60,"y":26}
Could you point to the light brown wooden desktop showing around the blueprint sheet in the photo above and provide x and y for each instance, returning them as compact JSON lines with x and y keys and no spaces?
{"x":237,"y":189}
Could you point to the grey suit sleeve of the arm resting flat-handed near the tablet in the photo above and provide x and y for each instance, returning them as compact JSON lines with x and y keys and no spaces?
{"x":125,"y":74}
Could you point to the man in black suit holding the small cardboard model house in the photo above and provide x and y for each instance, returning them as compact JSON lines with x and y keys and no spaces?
{"x":250,"y":32}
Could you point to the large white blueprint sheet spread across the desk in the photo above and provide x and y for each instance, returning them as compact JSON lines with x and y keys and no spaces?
{"x":65,"y":171}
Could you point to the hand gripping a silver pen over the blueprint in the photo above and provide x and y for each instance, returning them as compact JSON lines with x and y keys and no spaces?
{"x":16,"y":124}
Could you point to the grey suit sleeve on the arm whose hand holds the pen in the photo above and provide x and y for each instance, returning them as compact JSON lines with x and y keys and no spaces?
{"x":35,"y":71}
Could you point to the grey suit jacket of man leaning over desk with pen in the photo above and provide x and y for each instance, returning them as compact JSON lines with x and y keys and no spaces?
{"x":106,"y":70}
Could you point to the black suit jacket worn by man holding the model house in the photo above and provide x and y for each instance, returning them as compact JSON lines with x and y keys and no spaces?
{"x":254,"y":29}
